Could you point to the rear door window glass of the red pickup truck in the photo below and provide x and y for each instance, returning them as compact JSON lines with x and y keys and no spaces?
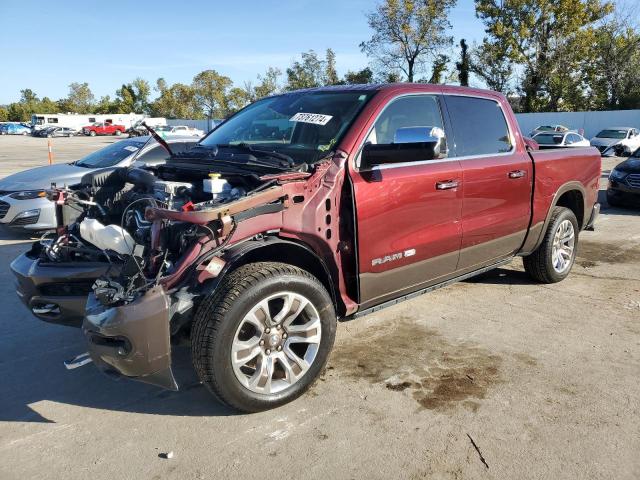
{"x":479,"y":126}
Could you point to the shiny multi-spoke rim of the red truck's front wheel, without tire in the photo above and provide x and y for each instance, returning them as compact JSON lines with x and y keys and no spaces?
{"x":276,"y":343}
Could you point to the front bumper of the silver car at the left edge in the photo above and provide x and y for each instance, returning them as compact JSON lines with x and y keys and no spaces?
{"x":35,"y":214}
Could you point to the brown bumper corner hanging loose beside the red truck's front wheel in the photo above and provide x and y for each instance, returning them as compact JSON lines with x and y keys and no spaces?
{"x":132,"y":340}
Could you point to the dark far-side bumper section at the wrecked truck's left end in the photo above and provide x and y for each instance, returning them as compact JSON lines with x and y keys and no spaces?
{"x":55,"y":292}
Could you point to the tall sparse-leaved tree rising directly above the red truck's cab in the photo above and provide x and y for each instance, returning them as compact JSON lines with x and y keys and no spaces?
{"x":407,"y":33}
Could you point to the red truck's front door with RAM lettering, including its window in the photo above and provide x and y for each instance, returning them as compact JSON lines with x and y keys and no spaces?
{"x":408,"y":211}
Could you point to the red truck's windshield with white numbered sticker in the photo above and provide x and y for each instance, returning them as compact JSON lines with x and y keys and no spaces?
{"x":303,"y":125}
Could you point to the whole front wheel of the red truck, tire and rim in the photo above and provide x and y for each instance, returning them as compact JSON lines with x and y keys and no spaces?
{"x":263,"y":337}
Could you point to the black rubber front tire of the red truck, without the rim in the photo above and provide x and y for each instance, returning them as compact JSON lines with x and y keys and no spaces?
{"x":220,"y":314}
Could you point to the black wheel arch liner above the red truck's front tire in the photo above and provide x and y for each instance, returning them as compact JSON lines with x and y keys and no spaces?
{"x":271,"y":248}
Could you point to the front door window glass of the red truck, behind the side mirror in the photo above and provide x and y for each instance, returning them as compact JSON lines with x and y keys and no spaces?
{"x":413,"y":111}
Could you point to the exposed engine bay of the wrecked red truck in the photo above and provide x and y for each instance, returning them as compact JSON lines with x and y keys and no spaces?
{"x":106,"y":219}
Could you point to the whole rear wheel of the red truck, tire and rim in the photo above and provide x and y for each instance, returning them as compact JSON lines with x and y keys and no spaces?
{"x":552,"y":261}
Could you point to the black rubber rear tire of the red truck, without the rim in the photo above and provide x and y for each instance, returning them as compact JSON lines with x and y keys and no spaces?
{"x":539,"y":265}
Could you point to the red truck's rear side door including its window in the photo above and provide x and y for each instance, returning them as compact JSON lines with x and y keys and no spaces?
{"x":496,"y":181}
